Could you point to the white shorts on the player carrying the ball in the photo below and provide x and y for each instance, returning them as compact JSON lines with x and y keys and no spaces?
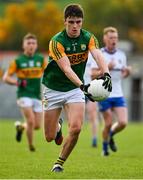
{"x":56,"y":99}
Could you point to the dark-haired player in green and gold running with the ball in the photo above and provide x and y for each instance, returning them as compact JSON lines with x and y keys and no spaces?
{"x":63,"y":80}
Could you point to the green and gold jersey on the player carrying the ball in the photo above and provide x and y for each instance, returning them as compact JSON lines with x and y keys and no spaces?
{"x":76,"y":49}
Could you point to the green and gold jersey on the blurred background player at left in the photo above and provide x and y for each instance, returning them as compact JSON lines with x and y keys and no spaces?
{"x":31,"y":69}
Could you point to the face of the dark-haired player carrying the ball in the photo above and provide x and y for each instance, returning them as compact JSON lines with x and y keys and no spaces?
{"x":73,"y":26}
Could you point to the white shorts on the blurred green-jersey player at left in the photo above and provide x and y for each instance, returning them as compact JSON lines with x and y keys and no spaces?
{"x":36,"y":104}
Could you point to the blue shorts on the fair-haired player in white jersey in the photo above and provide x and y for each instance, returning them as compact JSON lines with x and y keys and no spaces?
{"x":111,"y":103}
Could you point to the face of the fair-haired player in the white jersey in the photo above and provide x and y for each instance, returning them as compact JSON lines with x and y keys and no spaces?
{"x":111,"y":40}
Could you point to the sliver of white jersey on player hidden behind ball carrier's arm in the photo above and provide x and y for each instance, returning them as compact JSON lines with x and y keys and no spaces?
{"x":89,"y":65}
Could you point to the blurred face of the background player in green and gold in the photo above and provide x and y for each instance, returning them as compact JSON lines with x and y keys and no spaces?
{"x":30,"y":46}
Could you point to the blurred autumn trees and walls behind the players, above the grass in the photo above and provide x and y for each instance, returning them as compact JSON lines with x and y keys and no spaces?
{"x":44,"y":18}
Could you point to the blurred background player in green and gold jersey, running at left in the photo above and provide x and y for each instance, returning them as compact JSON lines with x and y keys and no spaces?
{"x":29,"y":68}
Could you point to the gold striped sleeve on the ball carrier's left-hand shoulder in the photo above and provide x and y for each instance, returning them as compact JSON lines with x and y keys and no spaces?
{"x":56,"y":50}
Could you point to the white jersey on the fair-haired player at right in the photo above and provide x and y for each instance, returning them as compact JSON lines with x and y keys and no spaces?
{"x":120,"y":60}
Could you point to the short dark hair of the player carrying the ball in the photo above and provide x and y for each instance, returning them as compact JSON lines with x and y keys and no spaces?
{"x":74,"y":10}
